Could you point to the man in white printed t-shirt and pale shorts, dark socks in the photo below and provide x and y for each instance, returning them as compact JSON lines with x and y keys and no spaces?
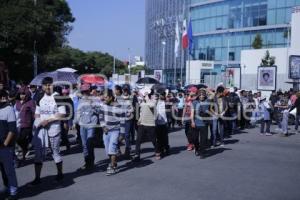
{"x":48,"y":115}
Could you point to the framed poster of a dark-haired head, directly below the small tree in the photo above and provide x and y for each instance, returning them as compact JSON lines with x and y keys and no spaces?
{"x":266,"y":78}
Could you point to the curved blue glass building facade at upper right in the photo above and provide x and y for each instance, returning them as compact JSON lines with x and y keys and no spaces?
{"x":223,"y":28}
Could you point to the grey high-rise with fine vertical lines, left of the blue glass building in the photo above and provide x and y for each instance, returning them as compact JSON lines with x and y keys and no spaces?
{"x":161,"y":17}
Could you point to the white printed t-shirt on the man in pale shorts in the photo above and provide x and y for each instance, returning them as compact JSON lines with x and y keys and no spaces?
{"x":48,"y":109}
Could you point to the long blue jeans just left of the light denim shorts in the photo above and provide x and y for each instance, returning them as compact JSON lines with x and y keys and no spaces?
{"x":87,"y":138}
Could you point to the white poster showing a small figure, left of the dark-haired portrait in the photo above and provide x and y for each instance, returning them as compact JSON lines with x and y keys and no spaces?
{"x":233,"y":77}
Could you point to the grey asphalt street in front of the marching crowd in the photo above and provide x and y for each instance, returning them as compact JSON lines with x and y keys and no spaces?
{"x":249,"y":167}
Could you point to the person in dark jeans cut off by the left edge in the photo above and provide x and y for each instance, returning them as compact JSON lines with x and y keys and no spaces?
{"x":8,"y":130}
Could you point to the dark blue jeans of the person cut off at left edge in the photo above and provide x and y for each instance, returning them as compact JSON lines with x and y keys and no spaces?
{"x":7,"y":162}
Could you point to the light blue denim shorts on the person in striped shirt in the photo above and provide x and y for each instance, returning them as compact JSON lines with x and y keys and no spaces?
{"x":111,"y":140}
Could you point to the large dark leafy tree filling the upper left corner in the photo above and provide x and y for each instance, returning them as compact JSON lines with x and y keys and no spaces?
{"x":22,"y":22}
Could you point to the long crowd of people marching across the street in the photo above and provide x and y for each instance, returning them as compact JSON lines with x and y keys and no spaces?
{"x":39,"y":119}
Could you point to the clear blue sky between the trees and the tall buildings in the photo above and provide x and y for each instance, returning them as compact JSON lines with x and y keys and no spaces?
{"x":113,"y":26}
